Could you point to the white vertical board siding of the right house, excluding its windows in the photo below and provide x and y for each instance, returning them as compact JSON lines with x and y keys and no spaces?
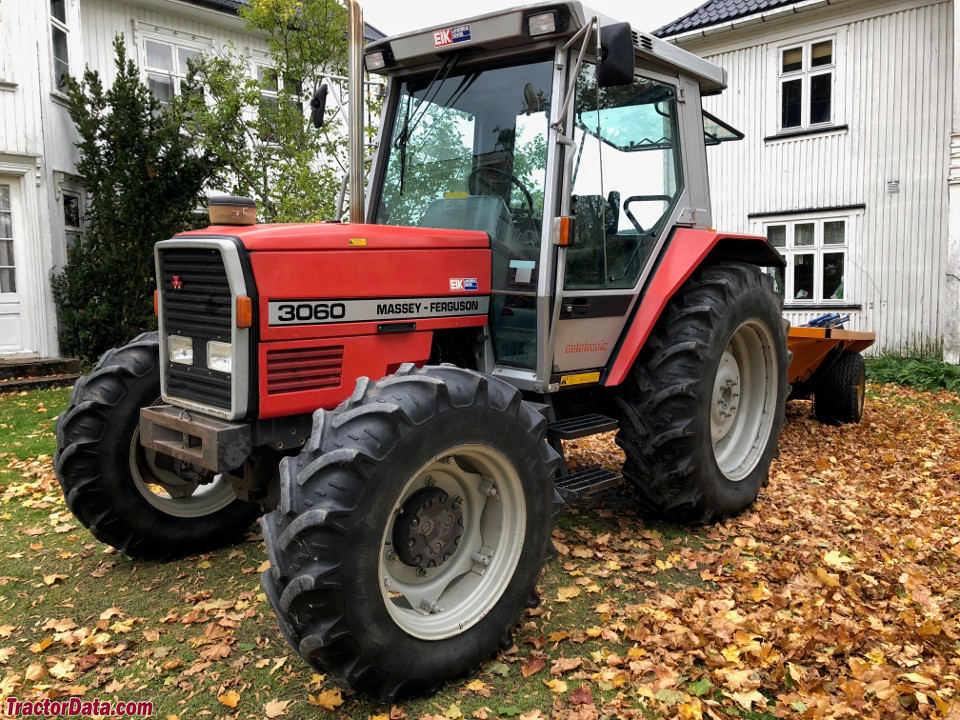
{"x":894,"y":89}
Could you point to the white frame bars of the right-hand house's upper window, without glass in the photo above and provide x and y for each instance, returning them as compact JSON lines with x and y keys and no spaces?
{"x":805,"y":74}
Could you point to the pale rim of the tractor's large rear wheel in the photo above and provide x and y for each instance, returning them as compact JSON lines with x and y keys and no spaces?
{"x":743,"y":402}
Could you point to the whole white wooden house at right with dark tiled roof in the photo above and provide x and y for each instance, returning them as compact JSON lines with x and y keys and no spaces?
{"x":851,"y":160}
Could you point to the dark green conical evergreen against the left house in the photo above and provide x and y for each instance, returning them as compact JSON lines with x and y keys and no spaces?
{"x":144,"y":180}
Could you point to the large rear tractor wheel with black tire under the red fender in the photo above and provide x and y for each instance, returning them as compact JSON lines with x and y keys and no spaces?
{"x":704,"y":404}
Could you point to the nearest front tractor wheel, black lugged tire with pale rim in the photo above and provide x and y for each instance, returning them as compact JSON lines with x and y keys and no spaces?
{"x":412,"y":529}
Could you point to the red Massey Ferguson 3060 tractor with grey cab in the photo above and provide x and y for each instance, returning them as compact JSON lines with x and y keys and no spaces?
{"x":534,"y":262}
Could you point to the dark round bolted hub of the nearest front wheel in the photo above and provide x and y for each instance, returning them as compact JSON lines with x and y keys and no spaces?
{"x":428,"y":529}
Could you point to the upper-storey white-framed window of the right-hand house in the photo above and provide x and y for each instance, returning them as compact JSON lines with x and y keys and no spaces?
{"x":806,"y":77}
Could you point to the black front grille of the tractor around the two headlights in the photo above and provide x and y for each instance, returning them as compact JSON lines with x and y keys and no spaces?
{"x":197,"y":303}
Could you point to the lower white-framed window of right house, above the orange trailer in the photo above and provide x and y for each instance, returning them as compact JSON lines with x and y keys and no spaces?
{"x":816,"y":254}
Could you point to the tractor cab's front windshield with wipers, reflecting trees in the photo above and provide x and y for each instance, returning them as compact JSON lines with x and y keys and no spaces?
{"x":468,"y":150}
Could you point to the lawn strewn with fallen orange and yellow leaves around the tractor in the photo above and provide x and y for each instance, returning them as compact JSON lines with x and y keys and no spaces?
{"x":837,"y":595}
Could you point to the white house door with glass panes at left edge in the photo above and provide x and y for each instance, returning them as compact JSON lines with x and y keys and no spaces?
{"x":16,"y":305}
